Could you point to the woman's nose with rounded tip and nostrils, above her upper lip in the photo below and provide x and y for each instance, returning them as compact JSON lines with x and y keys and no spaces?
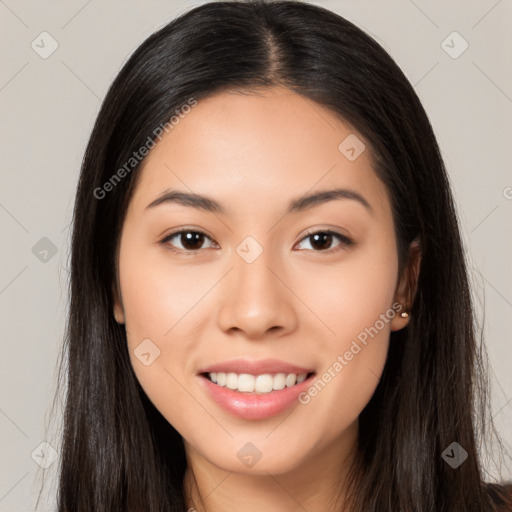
{"x":257,"y":300}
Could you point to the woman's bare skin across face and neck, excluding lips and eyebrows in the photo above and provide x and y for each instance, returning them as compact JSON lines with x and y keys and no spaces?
{"x":254,"y":153}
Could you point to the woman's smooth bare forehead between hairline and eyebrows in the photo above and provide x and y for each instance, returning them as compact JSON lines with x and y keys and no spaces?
{"x":269,"y":146}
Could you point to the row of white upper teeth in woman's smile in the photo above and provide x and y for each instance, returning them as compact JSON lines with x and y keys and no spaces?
{"x":259,"y":383}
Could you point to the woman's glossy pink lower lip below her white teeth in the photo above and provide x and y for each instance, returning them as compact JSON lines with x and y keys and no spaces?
{"x":252,"y":406}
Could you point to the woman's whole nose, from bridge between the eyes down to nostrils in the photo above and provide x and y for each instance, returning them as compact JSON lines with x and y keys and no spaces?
{"x":257,"y":300}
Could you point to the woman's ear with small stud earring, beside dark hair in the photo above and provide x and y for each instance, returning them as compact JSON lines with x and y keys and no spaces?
{"x":406,"y":287}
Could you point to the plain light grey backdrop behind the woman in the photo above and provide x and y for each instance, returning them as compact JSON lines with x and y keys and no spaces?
{"x":48,"y":106}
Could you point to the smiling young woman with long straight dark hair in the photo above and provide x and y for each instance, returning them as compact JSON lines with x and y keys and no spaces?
{"x":220,"y":356}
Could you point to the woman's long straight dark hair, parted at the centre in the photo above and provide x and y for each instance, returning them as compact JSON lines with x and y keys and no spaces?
{"x":119,"y":453}
